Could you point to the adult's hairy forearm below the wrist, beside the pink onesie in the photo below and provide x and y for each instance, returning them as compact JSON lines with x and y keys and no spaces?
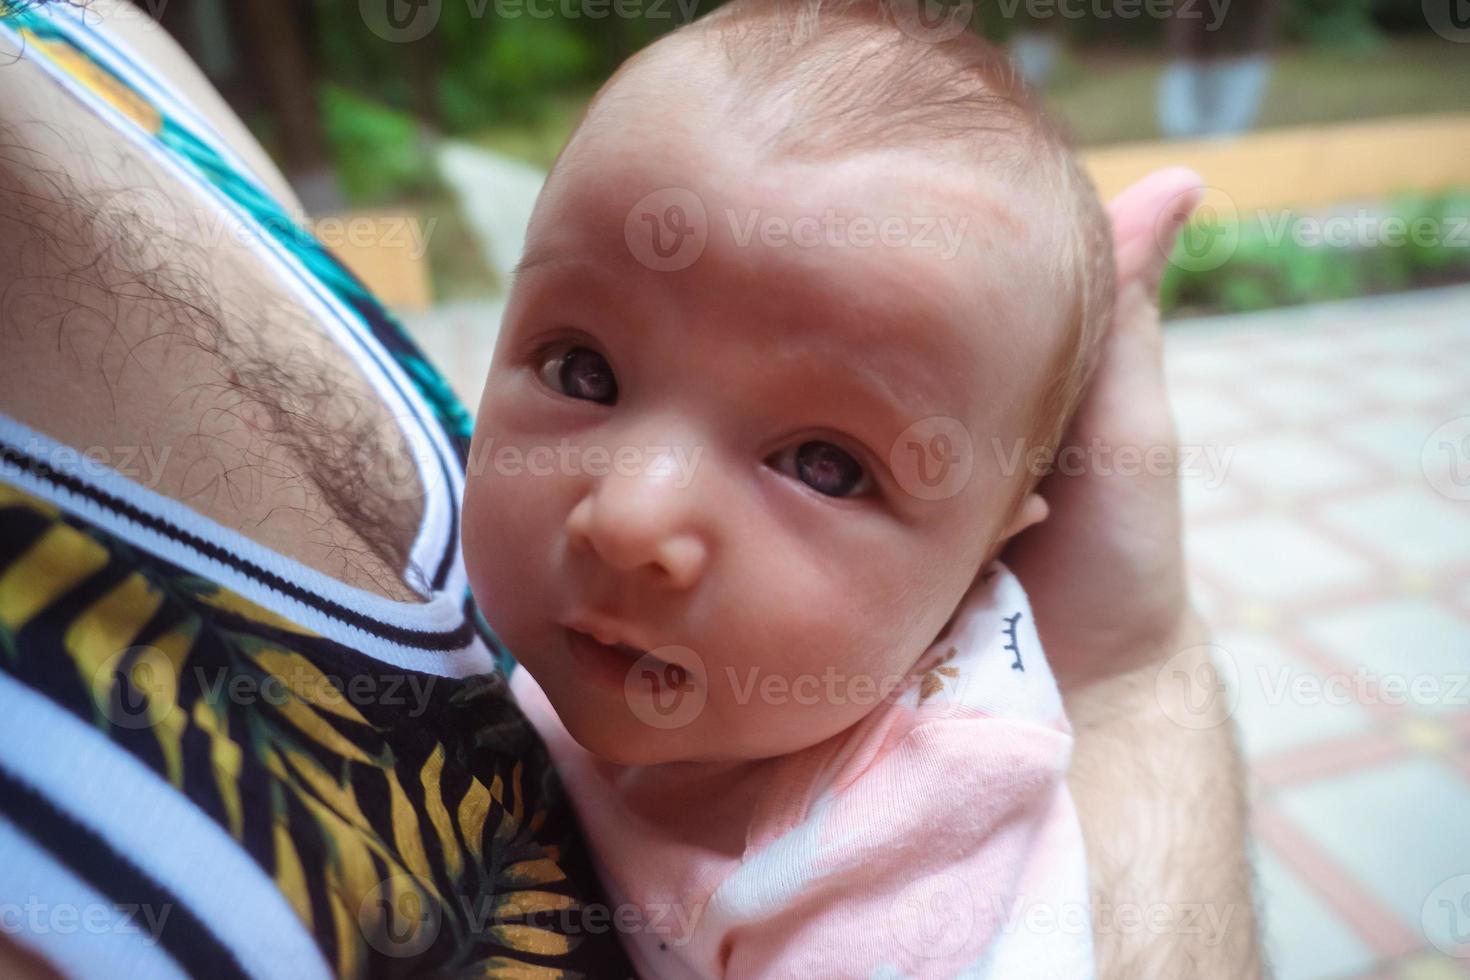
{"x":1159,"y":784}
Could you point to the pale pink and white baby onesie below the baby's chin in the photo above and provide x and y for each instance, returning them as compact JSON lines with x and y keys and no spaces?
{"x":936,"y":838}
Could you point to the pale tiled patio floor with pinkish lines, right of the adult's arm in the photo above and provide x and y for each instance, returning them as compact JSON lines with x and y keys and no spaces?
{"x":1333,"y":558}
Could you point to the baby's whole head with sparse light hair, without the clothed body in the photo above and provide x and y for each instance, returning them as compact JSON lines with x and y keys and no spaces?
{"x":797,"y":296}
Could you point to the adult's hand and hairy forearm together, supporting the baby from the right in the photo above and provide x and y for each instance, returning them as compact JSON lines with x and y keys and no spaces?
{"x":1162,"y":804}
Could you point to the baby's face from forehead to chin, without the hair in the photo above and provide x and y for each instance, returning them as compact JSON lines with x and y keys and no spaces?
{"x":720,"y":464}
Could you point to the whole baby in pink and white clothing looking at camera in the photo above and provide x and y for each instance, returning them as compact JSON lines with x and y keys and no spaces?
{"x":802,"y":295}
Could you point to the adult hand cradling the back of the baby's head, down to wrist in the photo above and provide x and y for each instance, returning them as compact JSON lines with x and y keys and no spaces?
{"x":1105,"y":572}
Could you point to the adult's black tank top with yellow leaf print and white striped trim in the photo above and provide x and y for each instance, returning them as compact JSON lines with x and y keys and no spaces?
{"x":218,"y":762}
